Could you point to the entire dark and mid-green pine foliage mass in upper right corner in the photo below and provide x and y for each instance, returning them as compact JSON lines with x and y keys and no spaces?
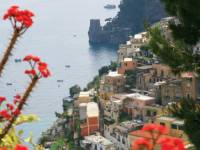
{"x":178,"y":53}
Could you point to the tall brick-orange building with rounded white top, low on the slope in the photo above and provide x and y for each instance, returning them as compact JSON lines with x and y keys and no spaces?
{"x":89,"y":118}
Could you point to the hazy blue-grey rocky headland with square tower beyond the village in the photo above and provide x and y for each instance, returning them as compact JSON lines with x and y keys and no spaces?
{"x":129,"y":20}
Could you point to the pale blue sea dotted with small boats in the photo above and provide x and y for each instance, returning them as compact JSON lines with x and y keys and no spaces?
{"x":51,"y":37}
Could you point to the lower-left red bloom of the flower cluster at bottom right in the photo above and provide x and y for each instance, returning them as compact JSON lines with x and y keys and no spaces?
{"x":142,"y":143}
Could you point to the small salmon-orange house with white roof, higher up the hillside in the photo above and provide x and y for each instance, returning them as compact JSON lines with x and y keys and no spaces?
{"x":127,"y":64}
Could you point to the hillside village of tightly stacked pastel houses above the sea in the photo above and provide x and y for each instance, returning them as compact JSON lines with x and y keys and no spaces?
{"x":140,"y":91}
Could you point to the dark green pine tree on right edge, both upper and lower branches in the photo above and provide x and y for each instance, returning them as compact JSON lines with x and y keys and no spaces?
{"x":177,"y":52}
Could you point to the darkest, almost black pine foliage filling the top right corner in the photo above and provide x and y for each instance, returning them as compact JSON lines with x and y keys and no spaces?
{"x":189,"y":16}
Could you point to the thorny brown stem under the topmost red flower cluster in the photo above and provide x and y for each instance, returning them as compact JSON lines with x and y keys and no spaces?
{"x":9,"y":49}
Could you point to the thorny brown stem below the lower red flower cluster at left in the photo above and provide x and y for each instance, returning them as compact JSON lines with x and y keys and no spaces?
{"x":20,"y":107}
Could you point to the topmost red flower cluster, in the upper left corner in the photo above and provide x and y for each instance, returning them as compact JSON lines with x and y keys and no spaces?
{"x":24,"y":17}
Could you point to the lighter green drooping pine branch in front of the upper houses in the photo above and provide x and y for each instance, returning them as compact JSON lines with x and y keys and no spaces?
{"x":177,"y":55}
